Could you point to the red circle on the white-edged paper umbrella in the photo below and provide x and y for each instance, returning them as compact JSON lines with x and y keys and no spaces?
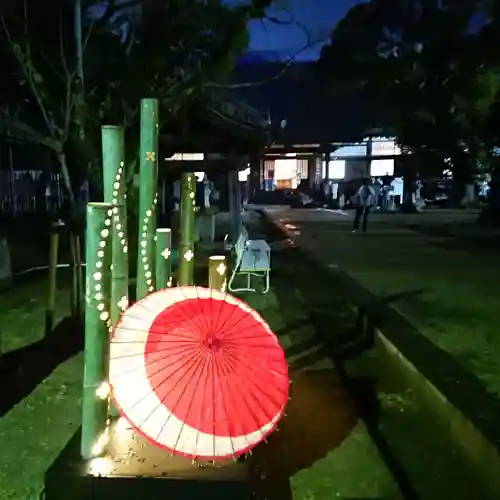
{"x":216,"y":366}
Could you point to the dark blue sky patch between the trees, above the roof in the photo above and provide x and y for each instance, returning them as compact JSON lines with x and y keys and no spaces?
{"x":319,"y":16}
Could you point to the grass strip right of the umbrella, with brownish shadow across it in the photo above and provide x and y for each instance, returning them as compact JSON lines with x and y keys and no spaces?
{"x":322,"y":451}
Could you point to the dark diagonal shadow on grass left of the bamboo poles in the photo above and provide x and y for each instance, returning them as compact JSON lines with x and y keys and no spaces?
{"x":22,"y":370}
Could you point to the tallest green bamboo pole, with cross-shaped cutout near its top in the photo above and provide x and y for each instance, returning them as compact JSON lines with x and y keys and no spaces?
{"x":148,"y":176}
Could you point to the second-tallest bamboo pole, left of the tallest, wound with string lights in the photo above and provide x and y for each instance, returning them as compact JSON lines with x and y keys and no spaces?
{"x":113,"y":164}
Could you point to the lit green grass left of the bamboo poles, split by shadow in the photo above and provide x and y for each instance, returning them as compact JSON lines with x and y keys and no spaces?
{"x":35,"y":430}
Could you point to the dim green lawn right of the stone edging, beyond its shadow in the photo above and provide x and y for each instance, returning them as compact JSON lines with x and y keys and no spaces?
{"x":458,"y":305}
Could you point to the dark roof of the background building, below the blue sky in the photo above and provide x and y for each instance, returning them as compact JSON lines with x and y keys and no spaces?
{"x":296,"y":94}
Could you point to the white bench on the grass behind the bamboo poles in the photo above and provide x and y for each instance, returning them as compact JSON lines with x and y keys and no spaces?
{"x":253,"y":258}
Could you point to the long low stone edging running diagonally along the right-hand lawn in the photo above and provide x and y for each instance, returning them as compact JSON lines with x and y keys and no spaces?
{"x":474,"y":434}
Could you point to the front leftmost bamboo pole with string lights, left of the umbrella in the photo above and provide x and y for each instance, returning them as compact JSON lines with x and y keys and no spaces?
{"x":97,"y":326}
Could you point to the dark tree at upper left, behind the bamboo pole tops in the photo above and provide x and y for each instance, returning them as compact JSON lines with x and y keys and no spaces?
{"x":131,"y":49}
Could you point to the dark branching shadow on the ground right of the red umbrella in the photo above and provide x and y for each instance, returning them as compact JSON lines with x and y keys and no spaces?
{"x":340,"y":334}
